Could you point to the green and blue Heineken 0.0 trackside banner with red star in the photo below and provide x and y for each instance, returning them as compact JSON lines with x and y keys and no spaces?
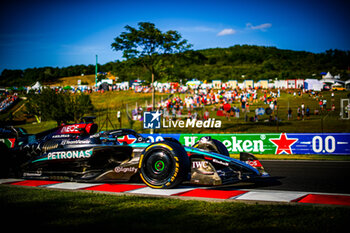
{"x":279,"y":143}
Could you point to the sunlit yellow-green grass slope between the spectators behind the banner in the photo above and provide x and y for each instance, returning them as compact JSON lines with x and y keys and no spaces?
{"x":112,"y":102}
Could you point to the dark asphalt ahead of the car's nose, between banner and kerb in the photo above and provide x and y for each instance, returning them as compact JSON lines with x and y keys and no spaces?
{"x":301,"y":175}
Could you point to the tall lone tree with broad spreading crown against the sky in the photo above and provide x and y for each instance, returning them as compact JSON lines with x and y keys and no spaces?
{"x":147,"y":43}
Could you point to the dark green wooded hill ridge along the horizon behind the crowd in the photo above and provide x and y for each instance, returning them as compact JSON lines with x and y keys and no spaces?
{"x":254,"y":62}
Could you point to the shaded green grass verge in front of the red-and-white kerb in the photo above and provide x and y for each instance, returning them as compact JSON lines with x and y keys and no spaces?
{"x":57,"y":211}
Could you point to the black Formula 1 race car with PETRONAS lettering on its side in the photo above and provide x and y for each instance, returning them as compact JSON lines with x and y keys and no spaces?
{"x":77,"y":153}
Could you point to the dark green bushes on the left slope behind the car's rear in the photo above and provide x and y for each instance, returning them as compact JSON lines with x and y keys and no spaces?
{"x":58,"y":106}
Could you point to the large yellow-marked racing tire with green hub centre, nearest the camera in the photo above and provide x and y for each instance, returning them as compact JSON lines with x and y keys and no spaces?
{"x":164,"y":165}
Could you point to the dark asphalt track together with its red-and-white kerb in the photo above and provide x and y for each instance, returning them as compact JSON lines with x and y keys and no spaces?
{"x":311,"y":182}
